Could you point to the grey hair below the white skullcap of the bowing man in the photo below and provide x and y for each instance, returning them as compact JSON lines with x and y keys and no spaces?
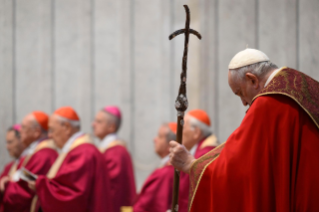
{"x":258,"y":69}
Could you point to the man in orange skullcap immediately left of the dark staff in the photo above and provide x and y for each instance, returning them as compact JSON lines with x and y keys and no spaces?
{"x":156,"y":193}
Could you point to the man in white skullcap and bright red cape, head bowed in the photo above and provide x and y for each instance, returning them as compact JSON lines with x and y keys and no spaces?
{"x":270,"y":162}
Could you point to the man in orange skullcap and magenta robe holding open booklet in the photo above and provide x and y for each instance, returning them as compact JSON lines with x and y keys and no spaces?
{"x":77,"y":180}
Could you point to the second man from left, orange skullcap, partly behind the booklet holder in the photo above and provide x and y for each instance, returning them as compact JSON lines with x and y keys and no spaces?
{"x":40,"y":155}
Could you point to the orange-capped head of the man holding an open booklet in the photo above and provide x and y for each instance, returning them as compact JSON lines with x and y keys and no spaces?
{"x":63,"y":123}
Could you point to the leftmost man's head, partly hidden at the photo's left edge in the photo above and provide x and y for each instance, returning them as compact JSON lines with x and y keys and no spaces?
{"x":14,"y":145}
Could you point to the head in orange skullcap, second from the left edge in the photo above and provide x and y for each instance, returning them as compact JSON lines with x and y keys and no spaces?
{"x":34,"y":126}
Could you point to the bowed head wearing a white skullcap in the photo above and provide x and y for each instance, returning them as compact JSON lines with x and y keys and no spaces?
{"x":248,"y":73}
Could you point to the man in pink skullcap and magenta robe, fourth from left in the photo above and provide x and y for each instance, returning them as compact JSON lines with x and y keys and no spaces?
{"x":117,"y":159}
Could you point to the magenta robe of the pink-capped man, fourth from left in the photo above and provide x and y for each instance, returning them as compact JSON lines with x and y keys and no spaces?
{"x":119,"y":165}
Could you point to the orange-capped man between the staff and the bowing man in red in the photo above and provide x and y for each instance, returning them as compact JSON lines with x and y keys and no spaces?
{"x":198,"y":139}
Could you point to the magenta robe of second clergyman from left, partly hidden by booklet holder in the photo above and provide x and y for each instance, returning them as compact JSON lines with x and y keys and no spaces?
{"x":18,"y":196}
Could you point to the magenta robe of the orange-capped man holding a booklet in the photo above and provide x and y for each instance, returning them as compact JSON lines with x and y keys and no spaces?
{"x":81,"y":184}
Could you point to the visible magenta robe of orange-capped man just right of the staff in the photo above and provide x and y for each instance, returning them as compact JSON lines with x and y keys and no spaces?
{"x":203,"y":147}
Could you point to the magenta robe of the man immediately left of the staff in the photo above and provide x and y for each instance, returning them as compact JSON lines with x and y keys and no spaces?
{"x":156,"y":193}
